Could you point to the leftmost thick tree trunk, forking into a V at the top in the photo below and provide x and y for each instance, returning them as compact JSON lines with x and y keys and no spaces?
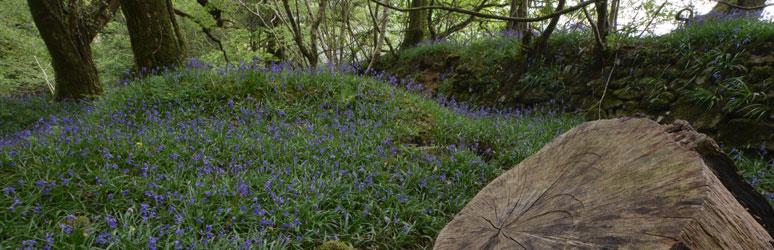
{"x":67,"y":28}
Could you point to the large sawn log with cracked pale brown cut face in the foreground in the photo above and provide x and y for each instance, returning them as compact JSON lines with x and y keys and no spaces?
{"x":609,"y":184}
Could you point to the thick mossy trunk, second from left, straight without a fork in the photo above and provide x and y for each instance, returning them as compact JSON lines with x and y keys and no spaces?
{"x":156,"y":39}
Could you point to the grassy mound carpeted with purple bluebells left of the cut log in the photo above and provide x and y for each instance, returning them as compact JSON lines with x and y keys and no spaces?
{"x":256,"y":157}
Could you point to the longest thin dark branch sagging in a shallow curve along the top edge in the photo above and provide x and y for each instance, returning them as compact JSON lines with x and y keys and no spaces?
{"x":489,"y":16}
